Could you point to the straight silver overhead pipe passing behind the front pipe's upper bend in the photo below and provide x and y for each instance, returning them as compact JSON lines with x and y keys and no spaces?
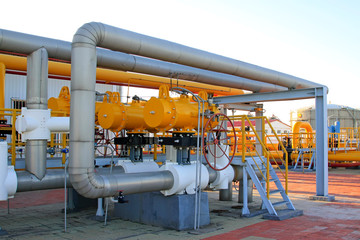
{"x":25,"y":44}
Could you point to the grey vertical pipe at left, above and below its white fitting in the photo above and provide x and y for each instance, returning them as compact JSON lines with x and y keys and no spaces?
{"x":36,"y":98}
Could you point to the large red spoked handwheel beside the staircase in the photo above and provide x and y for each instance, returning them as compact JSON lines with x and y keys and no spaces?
{"x":216,"y":141}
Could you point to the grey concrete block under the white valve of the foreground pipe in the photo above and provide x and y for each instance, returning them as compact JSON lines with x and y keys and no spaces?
{"x":174,"y":212}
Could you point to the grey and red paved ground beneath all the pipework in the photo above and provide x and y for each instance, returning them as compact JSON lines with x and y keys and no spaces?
{"x":38,"y":215}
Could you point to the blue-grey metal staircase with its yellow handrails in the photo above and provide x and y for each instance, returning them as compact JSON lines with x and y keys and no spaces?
{"x":253,"y":151}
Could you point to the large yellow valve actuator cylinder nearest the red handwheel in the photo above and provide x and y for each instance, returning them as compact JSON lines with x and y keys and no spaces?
{"x":165,"y":113}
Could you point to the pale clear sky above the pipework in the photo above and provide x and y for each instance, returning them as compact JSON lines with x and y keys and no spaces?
{"x":315,"y":40}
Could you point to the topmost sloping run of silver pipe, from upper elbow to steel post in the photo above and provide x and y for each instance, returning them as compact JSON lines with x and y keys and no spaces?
{"x":142,"y":45}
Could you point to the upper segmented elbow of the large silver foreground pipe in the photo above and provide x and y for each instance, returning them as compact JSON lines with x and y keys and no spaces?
{"x":90,"y":33}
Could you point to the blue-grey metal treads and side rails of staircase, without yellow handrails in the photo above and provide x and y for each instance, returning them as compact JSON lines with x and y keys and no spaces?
{"x":260,"y":185}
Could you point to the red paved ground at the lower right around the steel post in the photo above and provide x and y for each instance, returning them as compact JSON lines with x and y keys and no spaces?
{"x":312,"y":227}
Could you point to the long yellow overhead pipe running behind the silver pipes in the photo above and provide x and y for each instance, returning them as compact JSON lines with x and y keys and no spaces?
{"x":111,"y":77}
